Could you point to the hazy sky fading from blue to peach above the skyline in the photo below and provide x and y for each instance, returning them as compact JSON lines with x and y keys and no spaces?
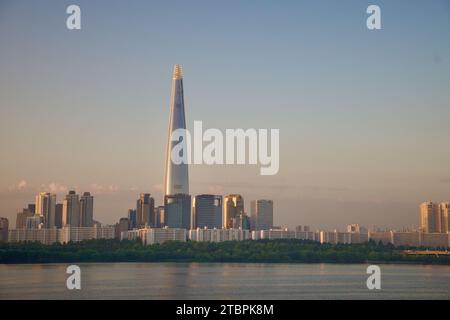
{"x":364,"y":116}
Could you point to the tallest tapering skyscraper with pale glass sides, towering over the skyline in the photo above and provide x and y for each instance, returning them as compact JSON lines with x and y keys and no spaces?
{"x":176,"y":175}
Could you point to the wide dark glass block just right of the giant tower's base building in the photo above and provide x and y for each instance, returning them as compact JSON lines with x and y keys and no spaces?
{"x":207,"y":211}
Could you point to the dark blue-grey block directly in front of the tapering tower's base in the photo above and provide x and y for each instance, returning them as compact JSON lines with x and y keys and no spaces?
{"x":177,"y":211}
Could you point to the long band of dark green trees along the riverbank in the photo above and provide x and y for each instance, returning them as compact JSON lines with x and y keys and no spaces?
{"x":272,"y":251}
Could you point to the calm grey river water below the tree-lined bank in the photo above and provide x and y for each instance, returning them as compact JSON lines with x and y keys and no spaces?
{"x":203,"y":281}
